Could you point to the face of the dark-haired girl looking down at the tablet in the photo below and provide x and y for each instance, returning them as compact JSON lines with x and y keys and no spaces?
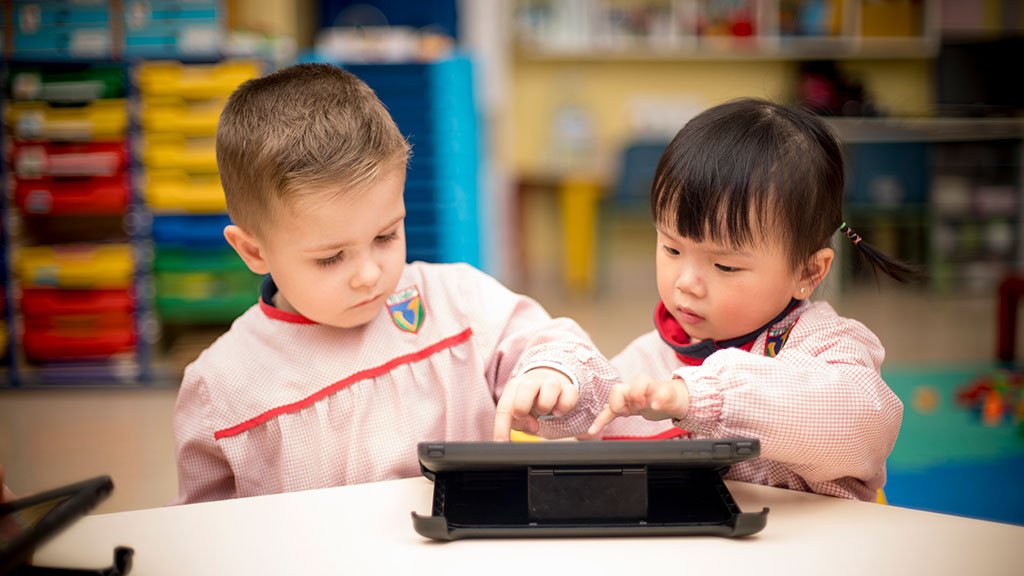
{"x":718,"y":293}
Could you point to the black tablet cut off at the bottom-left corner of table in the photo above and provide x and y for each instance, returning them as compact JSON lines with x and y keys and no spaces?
{"x":27,"y":523}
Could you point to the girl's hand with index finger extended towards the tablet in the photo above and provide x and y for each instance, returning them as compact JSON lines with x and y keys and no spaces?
{"x":651,"y":399}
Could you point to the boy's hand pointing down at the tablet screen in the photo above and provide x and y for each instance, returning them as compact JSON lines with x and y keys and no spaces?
{"x":537,"y":393}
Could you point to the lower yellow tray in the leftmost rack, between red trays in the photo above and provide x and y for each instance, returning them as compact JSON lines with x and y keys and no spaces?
{"x":75,"y":266}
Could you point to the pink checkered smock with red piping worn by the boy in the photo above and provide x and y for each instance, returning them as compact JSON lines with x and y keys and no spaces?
{"x":280,"y":404}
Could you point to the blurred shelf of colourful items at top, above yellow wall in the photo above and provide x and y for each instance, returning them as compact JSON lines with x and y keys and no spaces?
{"x":604,"y":30}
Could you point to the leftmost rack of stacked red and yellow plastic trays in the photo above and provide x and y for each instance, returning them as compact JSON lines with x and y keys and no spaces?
{"x":72,"y":256}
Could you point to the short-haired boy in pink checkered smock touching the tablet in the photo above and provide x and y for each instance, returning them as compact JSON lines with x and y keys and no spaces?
{"x":352,"y":356}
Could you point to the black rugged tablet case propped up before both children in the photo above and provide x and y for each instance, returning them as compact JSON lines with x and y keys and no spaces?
{"x":643,"y":488}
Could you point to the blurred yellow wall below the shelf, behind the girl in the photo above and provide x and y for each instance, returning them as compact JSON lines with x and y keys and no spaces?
{"x":610,"y":92}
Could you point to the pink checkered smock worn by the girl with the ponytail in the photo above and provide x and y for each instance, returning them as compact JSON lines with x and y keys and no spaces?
{"x":826,"y":420}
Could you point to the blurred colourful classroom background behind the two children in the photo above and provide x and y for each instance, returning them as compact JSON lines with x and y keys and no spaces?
{"x":536,"y":127}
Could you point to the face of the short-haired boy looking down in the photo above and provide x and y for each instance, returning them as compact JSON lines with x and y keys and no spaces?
{"x":336,"y":258}
